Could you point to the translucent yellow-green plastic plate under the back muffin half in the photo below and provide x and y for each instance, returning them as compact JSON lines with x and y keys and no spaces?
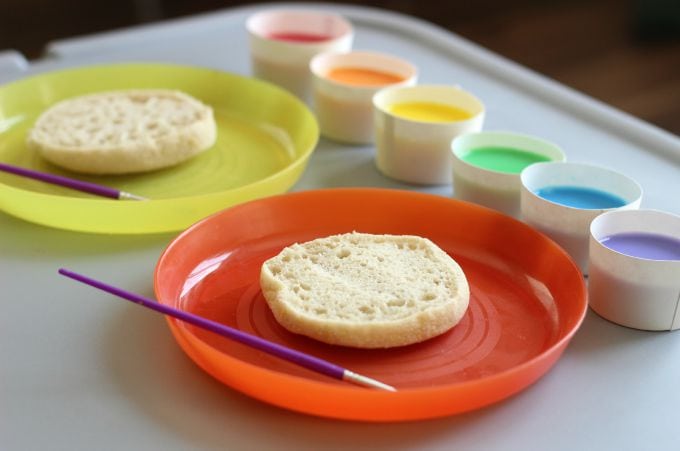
{"x":265,"y":139}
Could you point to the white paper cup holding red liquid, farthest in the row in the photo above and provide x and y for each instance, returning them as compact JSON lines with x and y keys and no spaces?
{"x":279,"y":51}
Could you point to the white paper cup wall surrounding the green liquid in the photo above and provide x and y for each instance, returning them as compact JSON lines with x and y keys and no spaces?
{"x":492,"y":188}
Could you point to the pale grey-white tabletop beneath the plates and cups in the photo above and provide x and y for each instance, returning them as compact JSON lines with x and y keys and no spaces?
{"x":79,"y":370}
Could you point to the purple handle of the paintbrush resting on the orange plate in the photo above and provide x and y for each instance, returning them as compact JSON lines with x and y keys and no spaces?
{"x":299,"y":358}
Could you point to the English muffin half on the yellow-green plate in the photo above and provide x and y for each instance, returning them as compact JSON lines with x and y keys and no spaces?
{"x":117,"y":132}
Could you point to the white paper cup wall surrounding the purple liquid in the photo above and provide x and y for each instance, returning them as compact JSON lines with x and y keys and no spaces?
{"x":641,"y":293}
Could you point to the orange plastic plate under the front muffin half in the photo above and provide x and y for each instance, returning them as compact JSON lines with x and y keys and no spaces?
{"x":527,"y":300}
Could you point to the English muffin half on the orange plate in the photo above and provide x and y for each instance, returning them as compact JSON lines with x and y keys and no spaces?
{"x":365,"y":290}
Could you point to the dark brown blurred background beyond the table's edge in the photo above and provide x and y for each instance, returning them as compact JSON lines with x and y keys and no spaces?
{"x":626,"y":53}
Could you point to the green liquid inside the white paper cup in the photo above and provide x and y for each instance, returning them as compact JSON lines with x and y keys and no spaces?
{"x":502,"y":159}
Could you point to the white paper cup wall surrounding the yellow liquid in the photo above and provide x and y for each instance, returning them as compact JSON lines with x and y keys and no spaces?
{"x":417,"y":151}
